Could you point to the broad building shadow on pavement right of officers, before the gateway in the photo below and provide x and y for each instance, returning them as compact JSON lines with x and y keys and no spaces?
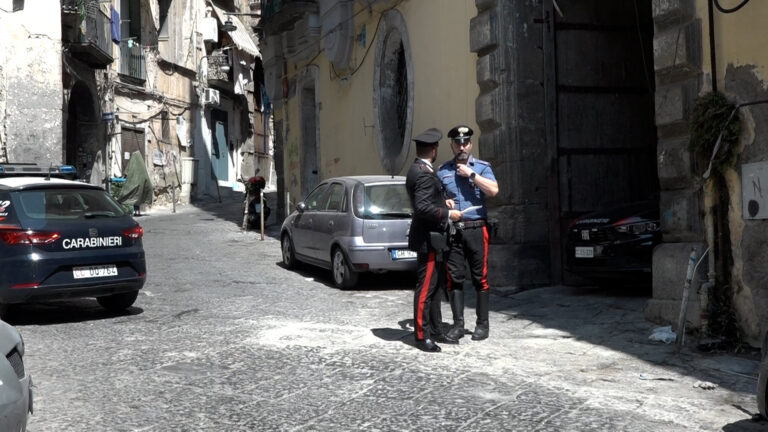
{"x":614,"y":318}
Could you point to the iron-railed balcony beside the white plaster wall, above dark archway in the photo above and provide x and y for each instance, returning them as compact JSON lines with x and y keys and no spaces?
{"x":86,"y":32}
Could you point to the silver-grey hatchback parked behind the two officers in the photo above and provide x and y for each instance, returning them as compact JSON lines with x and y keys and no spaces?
{"x":351,"y":225}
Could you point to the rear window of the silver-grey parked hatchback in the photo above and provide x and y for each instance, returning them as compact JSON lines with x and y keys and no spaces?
{"x":382,"y":201}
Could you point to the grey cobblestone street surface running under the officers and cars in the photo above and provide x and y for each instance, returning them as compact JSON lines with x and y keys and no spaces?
{"x":223,"y":338}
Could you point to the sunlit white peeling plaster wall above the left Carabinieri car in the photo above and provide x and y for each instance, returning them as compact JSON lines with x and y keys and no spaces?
{"x":30,"y":83}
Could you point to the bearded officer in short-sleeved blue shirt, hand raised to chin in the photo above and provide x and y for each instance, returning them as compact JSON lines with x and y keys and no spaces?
{"x":467,"y":182}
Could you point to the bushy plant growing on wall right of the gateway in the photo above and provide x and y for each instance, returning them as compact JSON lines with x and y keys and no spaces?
{"x":712,"y":115}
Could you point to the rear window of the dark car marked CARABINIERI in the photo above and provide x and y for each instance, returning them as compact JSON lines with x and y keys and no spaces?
{"x":74,"y":203}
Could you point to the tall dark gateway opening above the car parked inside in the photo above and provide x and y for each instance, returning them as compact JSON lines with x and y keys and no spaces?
{"x":599,"y":105}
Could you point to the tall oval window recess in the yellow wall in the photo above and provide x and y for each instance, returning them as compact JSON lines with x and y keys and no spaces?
{"x":393,"y":93}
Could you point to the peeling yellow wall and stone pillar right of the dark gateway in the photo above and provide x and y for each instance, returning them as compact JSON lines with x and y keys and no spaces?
{"x":700,"y":47}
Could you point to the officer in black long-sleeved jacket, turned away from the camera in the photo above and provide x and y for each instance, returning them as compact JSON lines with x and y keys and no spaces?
{"x":428,"y":225}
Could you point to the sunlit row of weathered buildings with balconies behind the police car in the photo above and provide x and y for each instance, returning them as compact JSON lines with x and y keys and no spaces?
{"x":99,"y":81}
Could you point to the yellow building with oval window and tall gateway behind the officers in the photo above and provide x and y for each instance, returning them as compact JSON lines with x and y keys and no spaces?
{"x":579,"y":105}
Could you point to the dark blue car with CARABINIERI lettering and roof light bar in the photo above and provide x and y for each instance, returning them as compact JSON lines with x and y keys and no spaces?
{"x":61,"y":238}
